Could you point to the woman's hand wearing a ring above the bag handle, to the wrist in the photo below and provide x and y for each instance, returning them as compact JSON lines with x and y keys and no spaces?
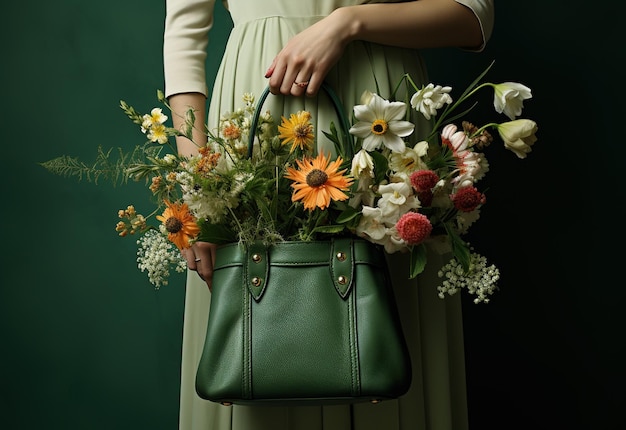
{"x":301,"y":66}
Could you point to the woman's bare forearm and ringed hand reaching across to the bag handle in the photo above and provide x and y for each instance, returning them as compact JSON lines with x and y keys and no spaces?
{"x":303,"y":63}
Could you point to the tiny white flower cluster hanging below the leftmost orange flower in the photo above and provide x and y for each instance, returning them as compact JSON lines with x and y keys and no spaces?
{"x":155,"y":255}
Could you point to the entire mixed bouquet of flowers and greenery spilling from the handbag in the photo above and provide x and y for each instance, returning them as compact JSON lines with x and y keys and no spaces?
{"x":258,"y":180}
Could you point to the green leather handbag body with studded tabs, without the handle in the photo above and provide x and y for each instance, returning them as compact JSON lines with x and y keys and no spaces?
{"x":303,"y":323}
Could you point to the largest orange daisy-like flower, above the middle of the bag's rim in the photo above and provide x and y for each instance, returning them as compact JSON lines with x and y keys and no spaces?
{"x":317,"y":182}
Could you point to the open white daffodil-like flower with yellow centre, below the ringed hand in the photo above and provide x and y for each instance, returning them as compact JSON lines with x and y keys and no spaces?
{"x":380,"y":123}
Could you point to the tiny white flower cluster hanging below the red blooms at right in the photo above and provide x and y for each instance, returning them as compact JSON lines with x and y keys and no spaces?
{"x":480,"y":281}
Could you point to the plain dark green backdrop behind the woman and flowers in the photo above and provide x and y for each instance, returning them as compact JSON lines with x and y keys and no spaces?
{"x":88,"y":344}
